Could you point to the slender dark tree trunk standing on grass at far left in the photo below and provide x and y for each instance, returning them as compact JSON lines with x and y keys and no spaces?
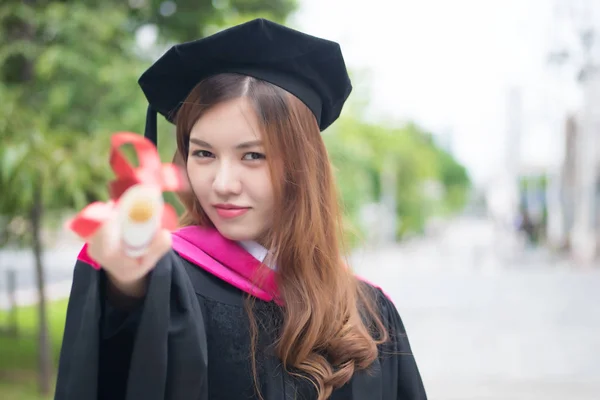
{"x":44,"y":350}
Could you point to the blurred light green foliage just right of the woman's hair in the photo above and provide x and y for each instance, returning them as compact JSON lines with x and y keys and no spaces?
{"x":361,"y":153}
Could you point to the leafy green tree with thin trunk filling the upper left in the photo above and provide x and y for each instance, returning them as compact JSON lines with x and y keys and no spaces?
{"x":68,"y":78}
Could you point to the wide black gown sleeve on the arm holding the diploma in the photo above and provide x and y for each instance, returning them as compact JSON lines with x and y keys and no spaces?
{"x":155,"y":352}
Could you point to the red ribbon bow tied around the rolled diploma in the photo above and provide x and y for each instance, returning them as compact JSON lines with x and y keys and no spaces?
{"x":151,"y":171}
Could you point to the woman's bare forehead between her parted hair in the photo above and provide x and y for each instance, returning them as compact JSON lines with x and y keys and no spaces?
{"x":233,"y":120}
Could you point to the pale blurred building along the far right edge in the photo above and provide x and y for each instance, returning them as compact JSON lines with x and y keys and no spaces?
{"x":573,"y":188}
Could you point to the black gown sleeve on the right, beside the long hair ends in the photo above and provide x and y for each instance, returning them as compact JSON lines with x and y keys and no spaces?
{"x":401,"y":376}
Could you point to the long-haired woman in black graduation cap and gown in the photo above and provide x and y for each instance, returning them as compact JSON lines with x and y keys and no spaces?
{"x":251,"y":298}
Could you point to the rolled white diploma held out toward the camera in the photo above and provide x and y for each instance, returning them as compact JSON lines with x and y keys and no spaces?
{"x":140,"y":216}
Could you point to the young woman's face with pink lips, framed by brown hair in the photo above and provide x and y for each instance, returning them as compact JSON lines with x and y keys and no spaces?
{"x":229,"y":173}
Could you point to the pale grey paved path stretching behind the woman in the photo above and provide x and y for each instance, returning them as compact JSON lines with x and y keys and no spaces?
{"x":487,"y":321}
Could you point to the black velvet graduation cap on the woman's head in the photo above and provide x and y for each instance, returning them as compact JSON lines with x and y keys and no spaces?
{"x":309,"y":67}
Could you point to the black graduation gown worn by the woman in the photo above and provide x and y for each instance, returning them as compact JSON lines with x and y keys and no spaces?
{"x":189,"y":339}
